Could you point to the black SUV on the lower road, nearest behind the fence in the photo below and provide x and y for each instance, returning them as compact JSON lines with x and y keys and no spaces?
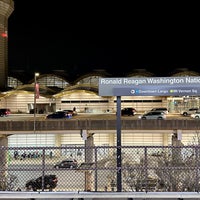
{"x":50,"y":182}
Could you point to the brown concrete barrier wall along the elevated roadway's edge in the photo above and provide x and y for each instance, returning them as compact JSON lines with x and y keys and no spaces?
{"x":8,"y":127}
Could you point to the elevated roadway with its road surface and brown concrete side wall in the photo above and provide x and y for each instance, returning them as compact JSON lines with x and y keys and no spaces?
{"x":25,"y":123}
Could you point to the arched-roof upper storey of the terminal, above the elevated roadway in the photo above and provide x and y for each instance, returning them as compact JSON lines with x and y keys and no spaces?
{"x":56,"y":93}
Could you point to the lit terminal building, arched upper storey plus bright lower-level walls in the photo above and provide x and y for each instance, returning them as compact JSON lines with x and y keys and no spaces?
{"x":84,"y":95}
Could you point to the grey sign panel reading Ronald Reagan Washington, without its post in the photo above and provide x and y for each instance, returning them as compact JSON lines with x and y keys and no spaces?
{"x":150,"y":86}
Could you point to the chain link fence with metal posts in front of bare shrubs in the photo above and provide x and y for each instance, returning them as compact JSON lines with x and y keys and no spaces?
{"x":143,"y":168}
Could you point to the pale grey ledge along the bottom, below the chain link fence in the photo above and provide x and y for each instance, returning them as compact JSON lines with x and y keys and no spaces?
{"x":99,"y":195}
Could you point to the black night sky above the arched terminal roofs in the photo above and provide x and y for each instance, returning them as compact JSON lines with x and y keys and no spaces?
{"x":79,"y":37}
